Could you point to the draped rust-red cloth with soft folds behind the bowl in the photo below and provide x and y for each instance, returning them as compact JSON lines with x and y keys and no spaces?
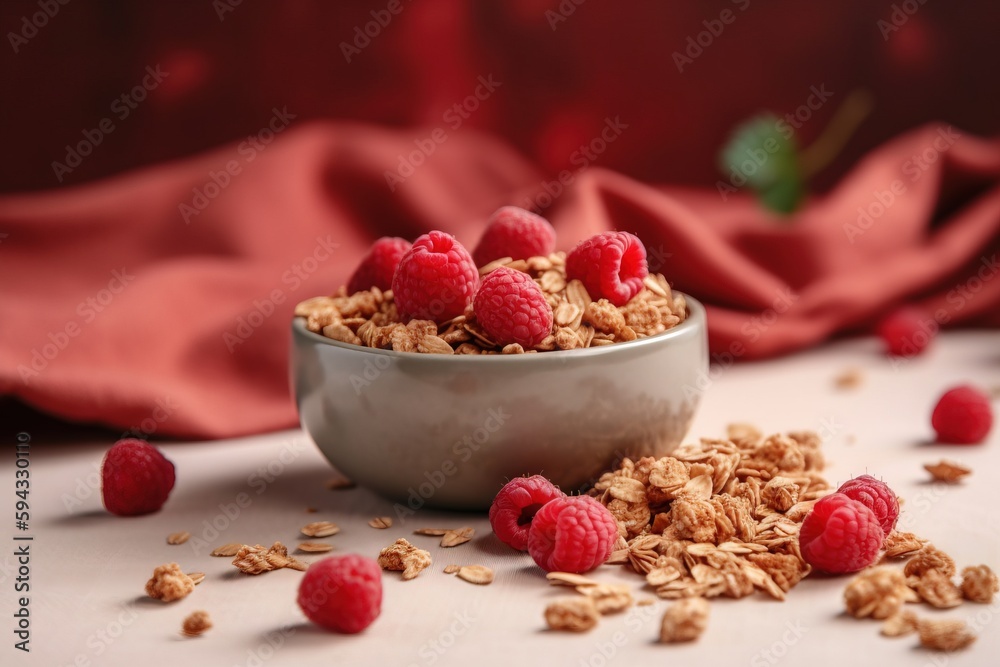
{"x":167,"y":340}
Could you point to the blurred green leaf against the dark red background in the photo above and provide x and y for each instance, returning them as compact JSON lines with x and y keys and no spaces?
{"x":761,"y":153}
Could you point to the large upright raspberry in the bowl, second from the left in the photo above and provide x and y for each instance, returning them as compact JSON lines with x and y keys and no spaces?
{"x":435,"y":280}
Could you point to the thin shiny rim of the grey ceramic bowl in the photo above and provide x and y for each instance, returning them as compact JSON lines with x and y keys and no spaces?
{"x":697,"y":318}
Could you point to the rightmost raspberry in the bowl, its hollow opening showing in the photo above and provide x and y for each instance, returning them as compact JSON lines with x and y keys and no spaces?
{"x":610,"y":265}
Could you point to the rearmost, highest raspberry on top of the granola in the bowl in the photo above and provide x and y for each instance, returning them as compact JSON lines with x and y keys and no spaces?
{"x":515,"y":233}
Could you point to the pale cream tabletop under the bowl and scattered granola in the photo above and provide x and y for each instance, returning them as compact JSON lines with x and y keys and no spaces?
{"x":88,"y":568}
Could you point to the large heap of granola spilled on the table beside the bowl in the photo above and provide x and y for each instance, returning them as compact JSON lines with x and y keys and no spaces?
{"x":717,"y":517}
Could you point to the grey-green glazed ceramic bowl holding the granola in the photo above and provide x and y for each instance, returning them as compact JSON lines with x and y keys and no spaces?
{"x":428,"y":430}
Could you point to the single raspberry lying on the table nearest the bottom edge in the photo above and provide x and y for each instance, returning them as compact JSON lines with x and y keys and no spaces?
{"x":342,"y":593}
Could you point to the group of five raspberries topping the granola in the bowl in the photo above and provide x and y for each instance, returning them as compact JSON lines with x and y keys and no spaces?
{"x":437,"y":278}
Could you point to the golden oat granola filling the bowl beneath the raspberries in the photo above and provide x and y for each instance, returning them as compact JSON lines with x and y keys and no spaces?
{"x":369,"y":318}
